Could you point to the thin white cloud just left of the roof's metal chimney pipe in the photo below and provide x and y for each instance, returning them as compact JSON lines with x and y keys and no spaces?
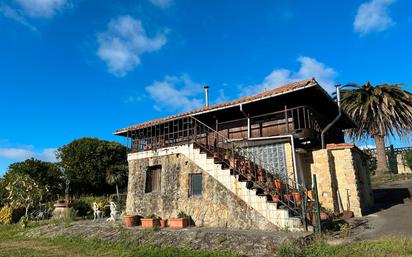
{"x":176,"y":94}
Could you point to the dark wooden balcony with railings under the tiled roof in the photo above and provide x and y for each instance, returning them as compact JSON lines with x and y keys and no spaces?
{"x":302,"y":122}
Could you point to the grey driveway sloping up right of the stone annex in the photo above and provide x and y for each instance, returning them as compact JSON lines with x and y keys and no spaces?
{"x":392,"y":215}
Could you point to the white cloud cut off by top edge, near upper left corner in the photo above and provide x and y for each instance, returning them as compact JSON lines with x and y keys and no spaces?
{"x":42,"y":8}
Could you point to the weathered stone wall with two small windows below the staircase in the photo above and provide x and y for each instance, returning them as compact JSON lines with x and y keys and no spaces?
{"x":216,"y":207}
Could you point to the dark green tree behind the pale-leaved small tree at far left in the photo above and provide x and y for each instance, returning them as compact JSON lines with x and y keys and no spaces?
{"x":46,"y":174}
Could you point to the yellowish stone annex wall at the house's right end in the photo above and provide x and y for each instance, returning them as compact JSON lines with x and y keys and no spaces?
{"x":342,"y":174}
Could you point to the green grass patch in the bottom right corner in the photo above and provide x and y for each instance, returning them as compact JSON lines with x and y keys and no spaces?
{"x":395,"y":247}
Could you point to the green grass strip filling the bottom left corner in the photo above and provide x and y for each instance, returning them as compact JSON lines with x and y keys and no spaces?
{"x":12,"y":244}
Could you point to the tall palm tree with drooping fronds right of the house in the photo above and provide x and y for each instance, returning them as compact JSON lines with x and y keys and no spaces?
{"x":381,"y":110}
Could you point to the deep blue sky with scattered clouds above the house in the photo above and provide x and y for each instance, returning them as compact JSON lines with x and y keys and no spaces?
{"x":75,"y":68}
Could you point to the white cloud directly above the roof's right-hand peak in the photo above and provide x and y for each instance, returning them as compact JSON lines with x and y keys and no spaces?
{"x":309,"y":67}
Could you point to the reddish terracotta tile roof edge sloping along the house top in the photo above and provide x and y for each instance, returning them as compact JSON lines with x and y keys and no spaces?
{"x":270,"y":93}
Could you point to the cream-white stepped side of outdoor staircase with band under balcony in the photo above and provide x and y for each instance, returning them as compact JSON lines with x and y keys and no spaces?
{"x":269,"y":210}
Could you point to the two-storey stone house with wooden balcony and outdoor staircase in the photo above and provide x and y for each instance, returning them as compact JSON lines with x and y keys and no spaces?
{"x":219,"y":163}
